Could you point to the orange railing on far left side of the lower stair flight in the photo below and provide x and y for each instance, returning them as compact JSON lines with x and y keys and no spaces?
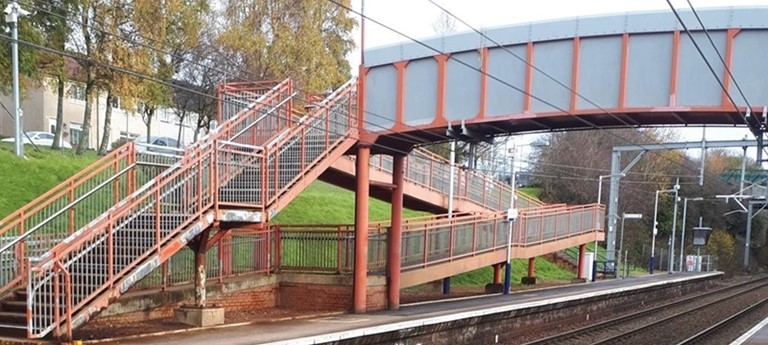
{"x":36,"y":227}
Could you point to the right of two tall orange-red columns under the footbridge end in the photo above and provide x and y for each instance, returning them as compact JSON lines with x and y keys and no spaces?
{"x":395,"y":232}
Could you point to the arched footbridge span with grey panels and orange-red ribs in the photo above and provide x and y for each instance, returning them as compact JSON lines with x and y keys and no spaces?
{"x":626,"y":70}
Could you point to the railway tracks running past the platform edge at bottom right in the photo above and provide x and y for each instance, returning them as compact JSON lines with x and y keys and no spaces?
{"x":652,"y":325}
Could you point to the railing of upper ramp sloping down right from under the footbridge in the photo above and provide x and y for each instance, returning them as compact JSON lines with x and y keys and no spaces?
{"x":433,"y":172}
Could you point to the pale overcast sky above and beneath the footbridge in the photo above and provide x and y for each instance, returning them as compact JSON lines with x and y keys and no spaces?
{"x":417,"y":17}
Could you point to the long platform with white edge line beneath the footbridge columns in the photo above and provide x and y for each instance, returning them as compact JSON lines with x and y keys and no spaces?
{"x":409,"y":317}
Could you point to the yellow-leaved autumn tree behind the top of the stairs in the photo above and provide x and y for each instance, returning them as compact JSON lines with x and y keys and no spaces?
{"x":305,"y":40}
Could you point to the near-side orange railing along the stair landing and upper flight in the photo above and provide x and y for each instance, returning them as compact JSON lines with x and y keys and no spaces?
{"x":266,"y":175}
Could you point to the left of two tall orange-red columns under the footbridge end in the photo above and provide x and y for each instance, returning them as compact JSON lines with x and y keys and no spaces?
{"x":361,"y":229}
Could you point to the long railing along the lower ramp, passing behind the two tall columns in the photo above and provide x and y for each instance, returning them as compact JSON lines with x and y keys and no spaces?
{"x":329,"y":248}
